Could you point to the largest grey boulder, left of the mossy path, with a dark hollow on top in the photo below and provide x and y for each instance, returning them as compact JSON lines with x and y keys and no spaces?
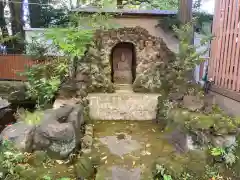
{"x":59,"y":131}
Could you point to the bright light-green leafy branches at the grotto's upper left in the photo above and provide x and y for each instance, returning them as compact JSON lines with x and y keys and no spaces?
{"x":73,"y":41}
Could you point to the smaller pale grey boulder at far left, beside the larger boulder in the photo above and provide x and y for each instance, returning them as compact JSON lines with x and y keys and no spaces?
{"x":21,"y":135}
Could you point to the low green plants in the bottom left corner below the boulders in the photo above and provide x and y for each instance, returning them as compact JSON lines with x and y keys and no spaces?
{"x":16,"y":165}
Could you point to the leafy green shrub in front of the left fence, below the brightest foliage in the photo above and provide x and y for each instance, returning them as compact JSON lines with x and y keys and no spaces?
{"x":44,"y":80}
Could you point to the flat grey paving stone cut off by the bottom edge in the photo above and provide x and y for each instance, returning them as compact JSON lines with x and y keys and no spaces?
{"x":123,"y":174}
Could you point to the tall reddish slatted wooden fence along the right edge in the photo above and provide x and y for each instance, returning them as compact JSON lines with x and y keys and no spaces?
{"x":224,"y":64}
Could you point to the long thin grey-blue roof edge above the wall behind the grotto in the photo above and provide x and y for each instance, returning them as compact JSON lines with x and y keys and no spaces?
{"x":139,"y":12}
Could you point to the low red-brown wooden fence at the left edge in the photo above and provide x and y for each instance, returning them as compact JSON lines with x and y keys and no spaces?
{"x":11,"y":65}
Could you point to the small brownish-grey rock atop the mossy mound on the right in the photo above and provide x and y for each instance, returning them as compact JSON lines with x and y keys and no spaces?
{"x":193,"y":103}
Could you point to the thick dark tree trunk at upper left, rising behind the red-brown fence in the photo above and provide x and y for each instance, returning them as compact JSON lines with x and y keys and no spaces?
{"x":16,"y":10}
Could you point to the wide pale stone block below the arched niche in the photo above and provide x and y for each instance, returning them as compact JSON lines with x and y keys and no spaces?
{"x":122,"y":106}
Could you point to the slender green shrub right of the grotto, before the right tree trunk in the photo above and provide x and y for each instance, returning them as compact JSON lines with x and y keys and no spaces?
{"x":189,"y":55}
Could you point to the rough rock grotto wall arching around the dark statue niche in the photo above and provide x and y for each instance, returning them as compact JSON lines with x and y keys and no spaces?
{"x":152,"y":56}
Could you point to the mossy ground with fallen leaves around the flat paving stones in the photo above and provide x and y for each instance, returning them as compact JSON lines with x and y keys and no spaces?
{"x":158,"y":149}
